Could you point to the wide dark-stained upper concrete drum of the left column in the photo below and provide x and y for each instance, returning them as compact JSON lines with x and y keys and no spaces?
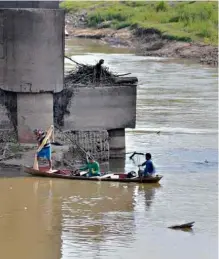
{"x":31,"y":50}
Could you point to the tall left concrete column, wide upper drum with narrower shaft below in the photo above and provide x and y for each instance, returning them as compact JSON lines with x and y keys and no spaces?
{"x":32,"y":64}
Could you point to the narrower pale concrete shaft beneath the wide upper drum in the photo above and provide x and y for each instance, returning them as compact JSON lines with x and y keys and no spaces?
{"x":33,"y":111}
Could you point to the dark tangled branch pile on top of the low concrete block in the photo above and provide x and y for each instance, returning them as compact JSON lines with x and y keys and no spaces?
{"x":88,"y":74}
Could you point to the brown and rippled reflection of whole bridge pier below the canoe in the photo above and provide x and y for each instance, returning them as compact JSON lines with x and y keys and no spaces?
{"x":50,"y":216}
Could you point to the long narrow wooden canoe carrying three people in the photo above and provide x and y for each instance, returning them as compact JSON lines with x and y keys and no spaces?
{"x":114,"y":177}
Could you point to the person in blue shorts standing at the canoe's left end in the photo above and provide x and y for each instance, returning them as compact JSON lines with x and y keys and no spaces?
{"x":45,"y":152}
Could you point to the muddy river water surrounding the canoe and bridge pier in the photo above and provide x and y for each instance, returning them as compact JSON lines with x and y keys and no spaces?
{"x":57,"y":219}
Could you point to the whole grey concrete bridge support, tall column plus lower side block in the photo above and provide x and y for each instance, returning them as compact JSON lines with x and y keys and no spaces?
{"x":32,"y":80}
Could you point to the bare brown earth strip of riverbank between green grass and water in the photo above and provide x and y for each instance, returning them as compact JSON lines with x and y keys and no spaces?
{"x":149,"y":43}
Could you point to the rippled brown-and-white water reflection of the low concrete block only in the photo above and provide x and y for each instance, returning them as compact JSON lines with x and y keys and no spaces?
{"x":97,"y":216}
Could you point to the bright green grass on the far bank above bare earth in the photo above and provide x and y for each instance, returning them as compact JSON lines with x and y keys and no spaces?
{"x":186,"y":21}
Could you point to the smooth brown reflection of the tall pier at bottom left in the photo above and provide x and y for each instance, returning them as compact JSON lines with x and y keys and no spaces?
{"x":27,"y":218}
